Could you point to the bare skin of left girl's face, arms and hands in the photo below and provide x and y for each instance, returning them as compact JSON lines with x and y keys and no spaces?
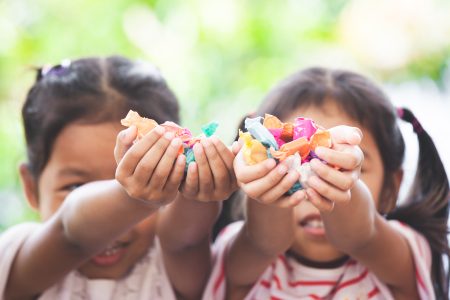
{"x":86,"y":184}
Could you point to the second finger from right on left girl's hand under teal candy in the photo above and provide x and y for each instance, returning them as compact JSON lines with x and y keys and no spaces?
{"x":220,"y":175}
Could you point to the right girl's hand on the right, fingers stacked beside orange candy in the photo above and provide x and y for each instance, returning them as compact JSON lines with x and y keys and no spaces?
{"x":335,"y":179}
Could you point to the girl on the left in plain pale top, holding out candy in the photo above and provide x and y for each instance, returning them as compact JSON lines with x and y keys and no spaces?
{"x":120,"y":219}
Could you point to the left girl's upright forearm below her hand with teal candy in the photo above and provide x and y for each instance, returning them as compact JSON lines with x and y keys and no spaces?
{"x":184,"y":229}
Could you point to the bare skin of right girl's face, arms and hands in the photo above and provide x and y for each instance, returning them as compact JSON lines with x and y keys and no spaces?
{"x":354,"y":188}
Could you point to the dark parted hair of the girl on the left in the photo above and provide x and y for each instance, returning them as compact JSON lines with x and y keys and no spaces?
{"x":91,"y":90}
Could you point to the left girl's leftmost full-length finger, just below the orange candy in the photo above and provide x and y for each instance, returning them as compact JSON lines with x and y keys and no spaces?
{"x":128,"y":164}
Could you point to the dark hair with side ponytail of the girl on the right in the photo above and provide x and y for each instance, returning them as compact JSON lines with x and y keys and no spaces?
{"x":426,"y":208}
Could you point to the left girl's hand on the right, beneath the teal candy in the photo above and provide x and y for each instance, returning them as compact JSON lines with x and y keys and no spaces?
{"x":211,"y":177}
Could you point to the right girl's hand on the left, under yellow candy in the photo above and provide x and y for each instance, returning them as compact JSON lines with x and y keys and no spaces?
{"x":267,"y":182}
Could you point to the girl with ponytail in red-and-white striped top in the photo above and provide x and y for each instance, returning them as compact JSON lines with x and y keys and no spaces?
{"x":345,"y":236}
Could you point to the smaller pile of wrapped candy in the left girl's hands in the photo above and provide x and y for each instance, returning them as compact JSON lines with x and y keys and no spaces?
{"x":145,"y":125}
